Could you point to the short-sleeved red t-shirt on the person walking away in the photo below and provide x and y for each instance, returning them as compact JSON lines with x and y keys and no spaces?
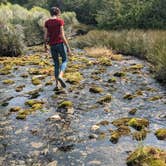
{"x":53,"y":29}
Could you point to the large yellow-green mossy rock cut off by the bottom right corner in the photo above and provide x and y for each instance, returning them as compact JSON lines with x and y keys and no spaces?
{"x":147,"y":155}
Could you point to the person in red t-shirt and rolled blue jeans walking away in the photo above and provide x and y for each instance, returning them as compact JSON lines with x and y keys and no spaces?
{"x":54,"y":35}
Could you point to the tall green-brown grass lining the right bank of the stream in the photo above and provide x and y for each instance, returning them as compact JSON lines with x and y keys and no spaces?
{"x":150,"y":45}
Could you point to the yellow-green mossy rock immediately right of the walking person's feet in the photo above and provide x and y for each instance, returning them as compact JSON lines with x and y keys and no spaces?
{"x":73,"y":78}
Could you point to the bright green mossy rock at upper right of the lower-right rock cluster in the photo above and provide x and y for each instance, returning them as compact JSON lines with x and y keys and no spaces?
{"x":138,"y":123}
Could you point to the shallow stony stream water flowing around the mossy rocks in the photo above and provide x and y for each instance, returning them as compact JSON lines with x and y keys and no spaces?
{"x":67,"y":136}
